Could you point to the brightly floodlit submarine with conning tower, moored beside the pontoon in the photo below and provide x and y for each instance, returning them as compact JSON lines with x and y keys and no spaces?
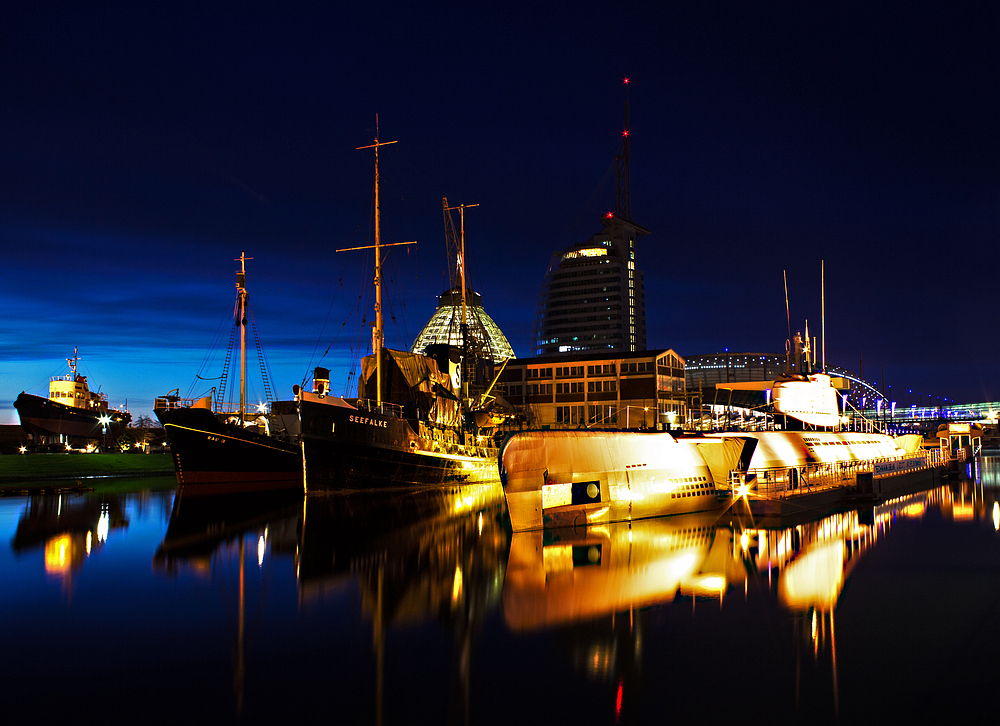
{"x":554,"y":478}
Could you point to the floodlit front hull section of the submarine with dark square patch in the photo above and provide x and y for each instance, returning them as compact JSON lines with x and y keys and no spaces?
{"x":572,"y":478}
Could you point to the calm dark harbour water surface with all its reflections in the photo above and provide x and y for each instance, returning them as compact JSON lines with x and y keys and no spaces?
{"x":147,"y":607}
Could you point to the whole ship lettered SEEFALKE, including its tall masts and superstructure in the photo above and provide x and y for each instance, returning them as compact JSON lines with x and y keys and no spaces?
{"x":417,"y":420}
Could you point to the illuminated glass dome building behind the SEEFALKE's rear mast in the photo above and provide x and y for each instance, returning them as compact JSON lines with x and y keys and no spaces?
{"x":445,"y":326}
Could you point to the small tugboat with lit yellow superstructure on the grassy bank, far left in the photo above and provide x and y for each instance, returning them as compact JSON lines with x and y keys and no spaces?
{"x":72,"y":412}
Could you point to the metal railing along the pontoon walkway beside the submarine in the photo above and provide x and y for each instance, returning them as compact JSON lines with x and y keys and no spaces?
{"x":783,"y":482}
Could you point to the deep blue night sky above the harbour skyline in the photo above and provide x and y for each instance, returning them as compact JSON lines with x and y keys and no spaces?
{"x":143,"y":147}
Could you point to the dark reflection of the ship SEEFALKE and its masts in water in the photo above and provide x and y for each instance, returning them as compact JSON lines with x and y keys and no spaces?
{"x":416,"y":557}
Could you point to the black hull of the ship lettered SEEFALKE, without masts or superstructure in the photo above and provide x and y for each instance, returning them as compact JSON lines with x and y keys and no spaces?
{"x":345,"y":448}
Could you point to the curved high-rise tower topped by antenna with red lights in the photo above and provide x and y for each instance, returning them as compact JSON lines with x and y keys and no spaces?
{"x":593,"y":296}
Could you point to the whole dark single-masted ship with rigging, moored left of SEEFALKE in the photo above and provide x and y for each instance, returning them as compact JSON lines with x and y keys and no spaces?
{"x":221,"y":447}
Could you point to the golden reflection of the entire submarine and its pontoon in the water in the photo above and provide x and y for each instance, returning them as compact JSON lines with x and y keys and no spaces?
{"x":598,"y":586}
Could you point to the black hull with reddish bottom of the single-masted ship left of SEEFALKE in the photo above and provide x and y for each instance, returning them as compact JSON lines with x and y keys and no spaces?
{"x":214,"y":457}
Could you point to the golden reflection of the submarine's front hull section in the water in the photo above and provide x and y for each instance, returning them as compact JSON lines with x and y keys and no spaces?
{"x":558,"y":577}
